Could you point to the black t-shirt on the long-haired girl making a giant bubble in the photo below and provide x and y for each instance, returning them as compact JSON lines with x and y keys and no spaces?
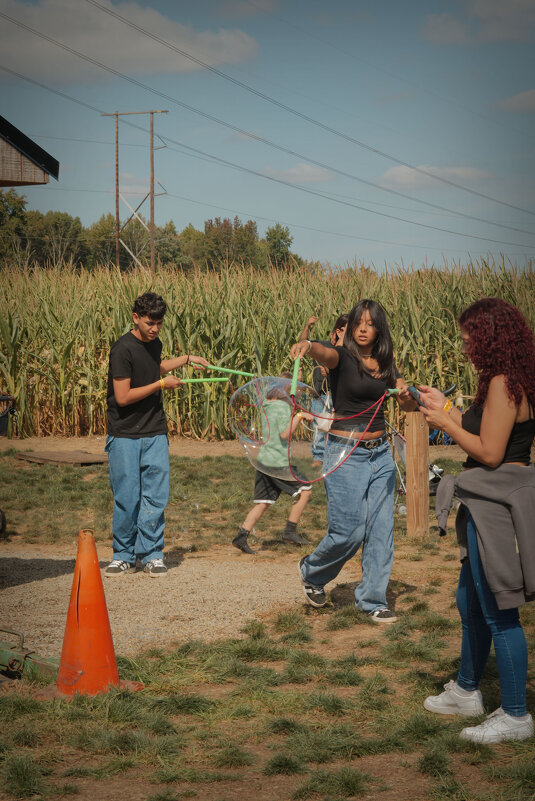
{"x":354,"y":392}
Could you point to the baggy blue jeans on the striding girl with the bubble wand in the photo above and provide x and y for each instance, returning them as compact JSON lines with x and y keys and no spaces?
{"x":360,"y":500}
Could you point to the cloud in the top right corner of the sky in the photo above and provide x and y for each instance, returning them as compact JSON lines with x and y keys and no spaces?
{"x":482,"y":21}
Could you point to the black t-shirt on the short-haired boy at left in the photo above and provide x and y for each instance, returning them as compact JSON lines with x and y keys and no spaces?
{"x":140,"y":362}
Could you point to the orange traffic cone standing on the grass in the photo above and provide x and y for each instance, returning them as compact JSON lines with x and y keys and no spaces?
{"x":88,"y":665}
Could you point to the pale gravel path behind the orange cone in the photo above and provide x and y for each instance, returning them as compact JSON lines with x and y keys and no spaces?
{"x":204,"y":596}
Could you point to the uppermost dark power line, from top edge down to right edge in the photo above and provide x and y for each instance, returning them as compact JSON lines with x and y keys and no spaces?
{"x":299,"y":114}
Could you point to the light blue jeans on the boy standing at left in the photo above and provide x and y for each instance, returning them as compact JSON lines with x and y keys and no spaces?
{"x":139,"y":479}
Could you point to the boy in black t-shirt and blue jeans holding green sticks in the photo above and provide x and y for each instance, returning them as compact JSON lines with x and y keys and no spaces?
{"x":137,"y":443}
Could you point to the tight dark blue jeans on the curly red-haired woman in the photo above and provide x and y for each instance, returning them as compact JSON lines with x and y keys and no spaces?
{"x":483,"y":622}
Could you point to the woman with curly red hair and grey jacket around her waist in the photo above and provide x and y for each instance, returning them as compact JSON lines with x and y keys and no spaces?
{"x":495,"y":520}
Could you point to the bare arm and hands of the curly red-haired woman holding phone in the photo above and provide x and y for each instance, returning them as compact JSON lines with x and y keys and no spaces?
{"x":498,"y":419}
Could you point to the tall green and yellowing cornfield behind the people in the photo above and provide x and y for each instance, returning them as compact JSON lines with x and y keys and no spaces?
{"x":57,"y":326}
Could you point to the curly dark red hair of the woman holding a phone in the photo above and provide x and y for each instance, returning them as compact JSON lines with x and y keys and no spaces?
{"x":501,"y":343}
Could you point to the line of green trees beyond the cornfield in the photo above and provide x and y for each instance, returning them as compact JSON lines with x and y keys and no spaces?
{"x":29,"y":238}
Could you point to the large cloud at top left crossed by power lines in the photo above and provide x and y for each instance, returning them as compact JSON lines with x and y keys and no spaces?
{"x":108,"y":40}
